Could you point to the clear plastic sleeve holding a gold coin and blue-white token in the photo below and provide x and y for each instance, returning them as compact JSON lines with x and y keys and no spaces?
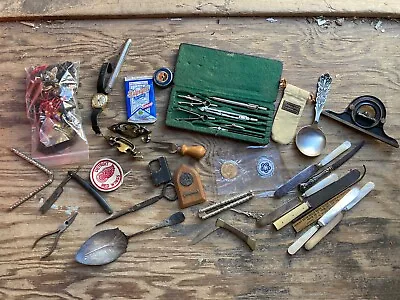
{"x":256,"y":168}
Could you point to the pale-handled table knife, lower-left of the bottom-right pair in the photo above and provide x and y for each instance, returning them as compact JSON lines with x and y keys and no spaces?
{"x":349,"y":197}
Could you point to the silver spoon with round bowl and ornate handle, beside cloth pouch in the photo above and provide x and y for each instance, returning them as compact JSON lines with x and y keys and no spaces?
{"x":310,"y":140}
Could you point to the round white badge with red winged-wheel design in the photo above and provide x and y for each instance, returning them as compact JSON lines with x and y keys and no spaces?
{"x":106,"y":175}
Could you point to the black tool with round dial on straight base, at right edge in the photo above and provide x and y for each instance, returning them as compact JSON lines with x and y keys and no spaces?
{"x":366,"y":114}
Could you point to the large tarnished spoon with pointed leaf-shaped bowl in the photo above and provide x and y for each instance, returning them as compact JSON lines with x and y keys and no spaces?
{"x":107,"y":245}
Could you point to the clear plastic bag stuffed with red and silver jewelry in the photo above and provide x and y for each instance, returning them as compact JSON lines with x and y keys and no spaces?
{"x":57,"y":134}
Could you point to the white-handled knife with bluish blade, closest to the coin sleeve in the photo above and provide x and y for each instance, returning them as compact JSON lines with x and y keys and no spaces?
{"x":310,"y":171}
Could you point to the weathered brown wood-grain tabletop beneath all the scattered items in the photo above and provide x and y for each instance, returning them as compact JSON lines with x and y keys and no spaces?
{"x":358,"y":260}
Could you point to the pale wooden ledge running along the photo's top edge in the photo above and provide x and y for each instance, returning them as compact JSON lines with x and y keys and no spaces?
{"x":78,"y":9}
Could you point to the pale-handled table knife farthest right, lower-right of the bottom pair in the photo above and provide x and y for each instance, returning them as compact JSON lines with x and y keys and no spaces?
{"x":365,"y":190}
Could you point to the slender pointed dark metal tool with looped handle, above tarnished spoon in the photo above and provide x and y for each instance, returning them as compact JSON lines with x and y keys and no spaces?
{"x":168,"y":192}
